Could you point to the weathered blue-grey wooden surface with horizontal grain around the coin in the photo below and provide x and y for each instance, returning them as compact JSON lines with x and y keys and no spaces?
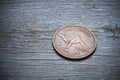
{"x":27,"y":28}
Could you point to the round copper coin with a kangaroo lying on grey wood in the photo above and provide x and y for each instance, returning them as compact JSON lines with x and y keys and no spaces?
{"x":74,"y":42}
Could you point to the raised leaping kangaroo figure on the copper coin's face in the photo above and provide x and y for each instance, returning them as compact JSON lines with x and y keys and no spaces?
{"x":75,"y":40}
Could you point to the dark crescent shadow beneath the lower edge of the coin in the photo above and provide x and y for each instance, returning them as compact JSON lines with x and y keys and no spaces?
{"x":70,"y":59}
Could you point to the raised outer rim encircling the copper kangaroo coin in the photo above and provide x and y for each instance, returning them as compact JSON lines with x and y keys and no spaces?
{"x":67,"y":56}
